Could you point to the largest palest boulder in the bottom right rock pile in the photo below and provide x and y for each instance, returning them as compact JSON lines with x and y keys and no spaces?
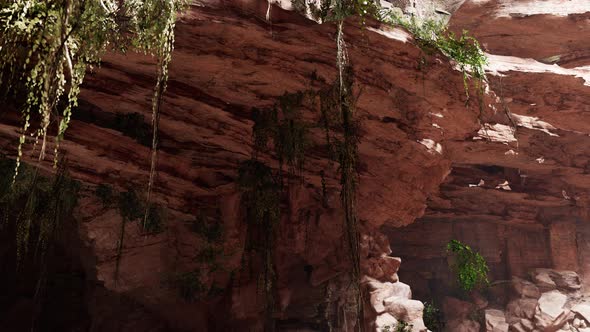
{"x":550,"y":314}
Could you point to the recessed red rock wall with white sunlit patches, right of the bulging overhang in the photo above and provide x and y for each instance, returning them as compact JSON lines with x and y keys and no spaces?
{"x":543,"y":220}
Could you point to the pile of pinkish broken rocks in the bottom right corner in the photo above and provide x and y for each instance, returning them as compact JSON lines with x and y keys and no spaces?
{"x":550,"y":301}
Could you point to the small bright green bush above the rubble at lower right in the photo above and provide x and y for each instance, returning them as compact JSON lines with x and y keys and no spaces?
{"x":469,"y":267}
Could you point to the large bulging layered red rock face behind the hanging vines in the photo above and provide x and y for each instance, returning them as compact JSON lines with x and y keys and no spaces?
{"x":227,"y":60}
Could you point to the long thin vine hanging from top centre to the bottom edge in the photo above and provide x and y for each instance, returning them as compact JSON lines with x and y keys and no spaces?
{"x":340,"y":97}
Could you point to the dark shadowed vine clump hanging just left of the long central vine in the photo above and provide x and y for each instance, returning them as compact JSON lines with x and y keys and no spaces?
{"x":261,"y":188}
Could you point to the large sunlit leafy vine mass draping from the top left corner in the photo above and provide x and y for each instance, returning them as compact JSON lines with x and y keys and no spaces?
{"x":47,"y":46}
